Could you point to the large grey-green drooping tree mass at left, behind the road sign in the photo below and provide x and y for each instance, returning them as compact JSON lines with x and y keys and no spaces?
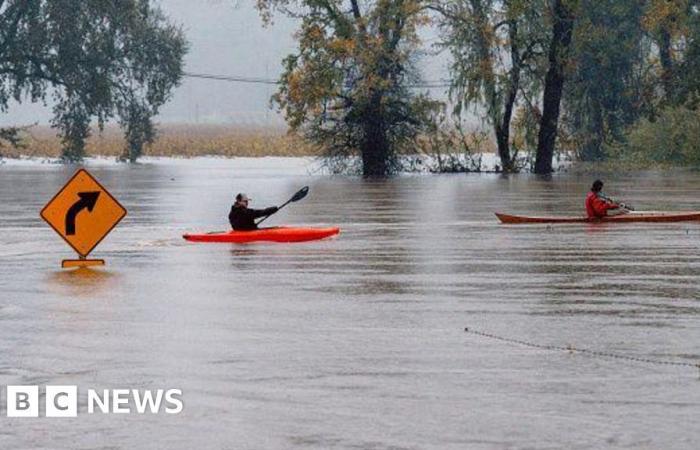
{"x":97,"y":59}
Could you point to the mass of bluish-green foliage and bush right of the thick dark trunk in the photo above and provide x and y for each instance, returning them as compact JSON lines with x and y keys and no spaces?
{"x":634,"y":81}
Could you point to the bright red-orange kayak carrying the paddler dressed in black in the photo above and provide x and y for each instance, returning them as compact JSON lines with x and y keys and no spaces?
{"x":275,"y":234}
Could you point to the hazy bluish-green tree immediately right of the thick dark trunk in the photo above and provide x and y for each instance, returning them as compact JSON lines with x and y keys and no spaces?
{"x":608,"y":81}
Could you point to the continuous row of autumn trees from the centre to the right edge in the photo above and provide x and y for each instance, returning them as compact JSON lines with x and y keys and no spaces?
{"x":595,"y":78}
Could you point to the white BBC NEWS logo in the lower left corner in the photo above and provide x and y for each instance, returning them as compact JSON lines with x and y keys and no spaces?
{"x":62,"y":401}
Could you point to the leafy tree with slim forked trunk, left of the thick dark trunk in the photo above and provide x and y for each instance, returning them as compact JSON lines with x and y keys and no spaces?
{"x":496,"y":49}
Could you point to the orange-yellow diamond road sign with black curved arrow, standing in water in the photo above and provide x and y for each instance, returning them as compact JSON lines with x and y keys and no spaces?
{"x":83,"y":213}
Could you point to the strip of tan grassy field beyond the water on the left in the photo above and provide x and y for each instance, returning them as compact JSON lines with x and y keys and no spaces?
{"x":176,"y":140}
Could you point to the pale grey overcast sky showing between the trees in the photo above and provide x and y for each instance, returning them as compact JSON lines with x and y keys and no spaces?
{"x":226,"y":38}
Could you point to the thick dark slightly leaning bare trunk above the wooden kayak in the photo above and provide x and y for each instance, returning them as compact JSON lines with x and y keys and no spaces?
{"x":563,"y":18}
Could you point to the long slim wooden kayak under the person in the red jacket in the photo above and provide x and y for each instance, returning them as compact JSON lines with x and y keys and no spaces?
{"x":635,"y":216}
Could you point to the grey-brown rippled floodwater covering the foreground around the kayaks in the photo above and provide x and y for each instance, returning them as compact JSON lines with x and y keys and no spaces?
{"x":357,"y":342}
